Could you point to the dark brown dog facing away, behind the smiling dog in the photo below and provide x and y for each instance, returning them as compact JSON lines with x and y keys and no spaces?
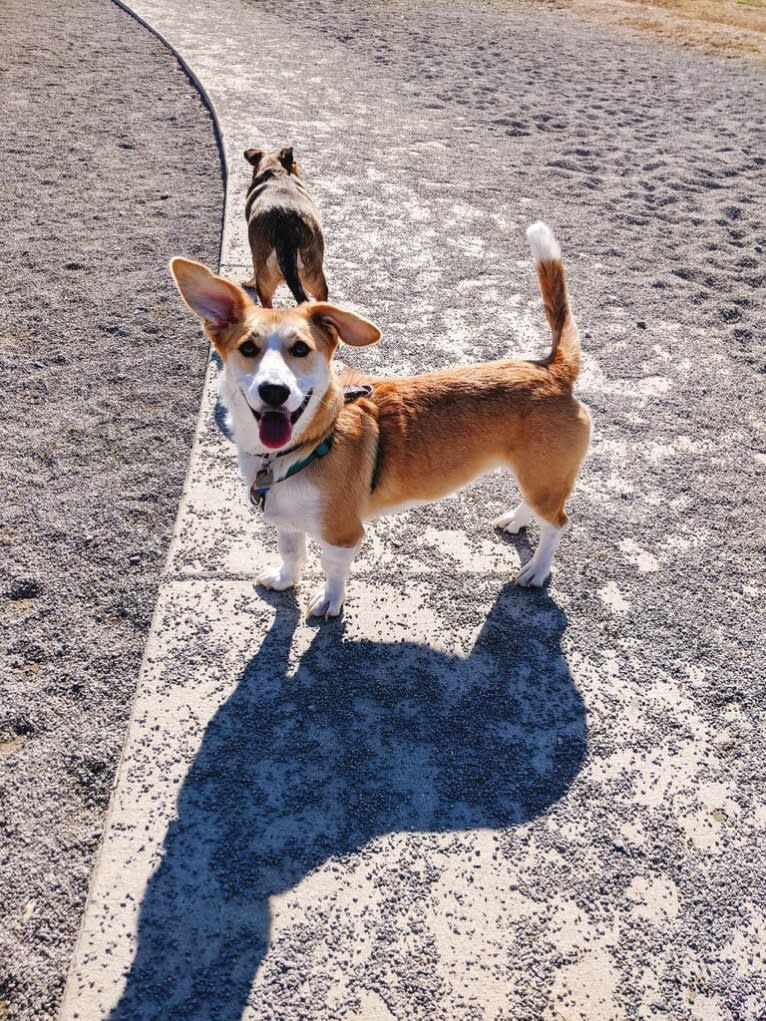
{"x":283,"y":228}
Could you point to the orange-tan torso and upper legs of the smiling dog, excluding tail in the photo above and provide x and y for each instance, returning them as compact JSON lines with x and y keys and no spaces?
{"x":440,"y":431}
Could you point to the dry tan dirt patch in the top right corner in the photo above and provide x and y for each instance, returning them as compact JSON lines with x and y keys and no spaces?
{"x":730,"y":28}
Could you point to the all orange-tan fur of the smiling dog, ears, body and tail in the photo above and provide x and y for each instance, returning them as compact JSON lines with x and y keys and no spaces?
{"x":424,"y":436}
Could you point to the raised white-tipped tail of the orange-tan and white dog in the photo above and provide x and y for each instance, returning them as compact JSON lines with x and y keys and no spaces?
{"x":564,"y":361}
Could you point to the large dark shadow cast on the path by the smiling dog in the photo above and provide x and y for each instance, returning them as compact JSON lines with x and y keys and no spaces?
{"x":365,"y":739}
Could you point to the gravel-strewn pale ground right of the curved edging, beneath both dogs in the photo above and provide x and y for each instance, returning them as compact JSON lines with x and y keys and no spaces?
{"x":466,"y":800}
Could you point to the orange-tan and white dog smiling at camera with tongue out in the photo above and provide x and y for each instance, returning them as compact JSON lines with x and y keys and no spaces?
{"x":321,"y":466}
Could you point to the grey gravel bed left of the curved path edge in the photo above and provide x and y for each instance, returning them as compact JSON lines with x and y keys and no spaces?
{"x":109,"y":167}
